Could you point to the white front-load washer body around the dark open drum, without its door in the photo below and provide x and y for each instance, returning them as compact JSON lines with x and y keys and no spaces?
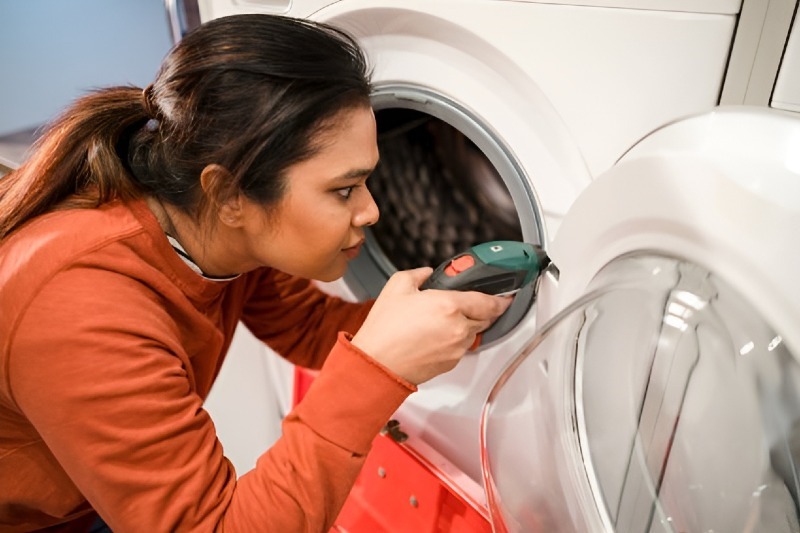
{"x":493,"y":115}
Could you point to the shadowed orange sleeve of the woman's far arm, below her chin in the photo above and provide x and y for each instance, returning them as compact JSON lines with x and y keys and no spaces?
{"x":296,"y":319}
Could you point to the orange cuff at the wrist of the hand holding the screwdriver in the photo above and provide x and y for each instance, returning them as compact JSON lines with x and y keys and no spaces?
{"x":352,"y":398}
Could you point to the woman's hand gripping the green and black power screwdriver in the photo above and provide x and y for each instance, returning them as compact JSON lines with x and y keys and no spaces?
{"x":421,"y":334}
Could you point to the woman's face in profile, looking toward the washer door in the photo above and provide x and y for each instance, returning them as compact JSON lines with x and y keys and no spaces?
{"x":318,"y":226}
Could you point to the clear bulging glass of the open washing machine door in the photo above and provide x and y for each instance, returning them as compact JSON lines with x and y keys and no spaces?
{"x":659,"y":402}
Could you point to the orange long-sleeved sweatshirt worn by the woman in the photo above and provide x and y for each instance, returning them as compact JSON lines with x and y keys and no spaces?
{"x":109,"y":344}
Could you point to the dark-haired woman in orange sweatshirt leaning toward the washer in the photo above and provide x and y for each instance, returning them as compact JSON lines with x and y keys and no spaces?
{"x":143,"y":228}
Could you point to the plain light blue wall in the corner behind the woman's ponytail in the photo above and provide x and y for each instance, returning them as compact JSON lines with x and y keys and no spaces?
{"x":52,"y":51}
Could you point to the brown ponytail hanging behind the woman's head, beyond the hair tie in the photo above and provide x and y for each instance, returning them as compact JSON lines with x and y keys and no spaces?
{"x":78,"y":162}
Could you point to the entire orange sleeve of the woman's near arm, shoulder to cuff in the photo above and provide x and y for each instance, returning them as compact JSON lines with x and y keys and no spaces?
{"x":111,"y":392}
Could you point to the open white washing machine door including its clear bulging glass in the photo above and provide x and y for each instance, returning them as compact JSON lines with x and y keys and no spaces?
{"x":666,"y":395}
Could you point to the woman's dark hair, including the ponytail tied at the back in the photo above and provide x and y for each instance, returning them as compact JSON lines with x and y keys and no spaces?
{"x":252,"y":93}
